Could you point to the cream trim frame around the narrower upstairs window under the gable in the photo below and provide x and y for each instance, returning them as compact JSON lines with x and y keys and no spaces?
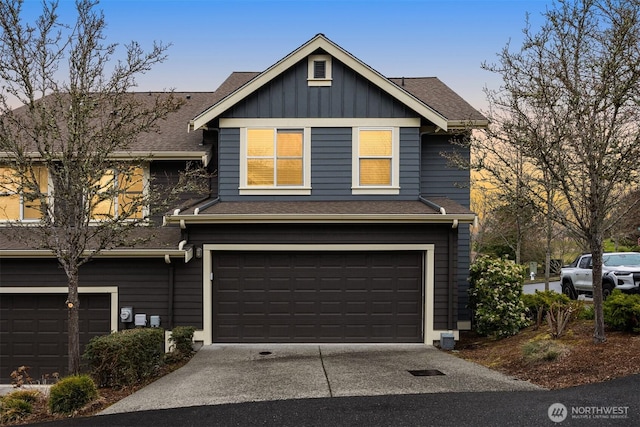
{"x":394,"y":188}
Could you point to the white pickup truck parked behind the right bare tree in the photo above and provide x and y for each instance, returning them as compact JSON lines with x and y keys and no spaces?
{"x":620,"y":270}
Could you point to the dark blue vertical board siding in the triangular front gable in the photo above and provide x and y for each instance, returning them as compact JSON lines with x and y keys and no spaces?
{"x":289,"y":95}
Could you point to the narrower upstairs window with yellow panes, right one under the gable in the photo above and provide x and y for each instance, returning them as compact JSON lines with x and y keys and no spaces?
{"x":375,"y":161}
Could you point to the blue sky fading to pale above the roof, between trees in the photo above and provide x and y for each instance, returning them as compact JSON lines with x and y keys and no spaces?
{"x":448,"y":39}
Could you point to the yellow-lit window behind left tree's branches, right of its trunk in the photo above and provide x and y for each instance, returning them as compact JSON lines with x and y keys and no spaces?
{"x":120,"y":192}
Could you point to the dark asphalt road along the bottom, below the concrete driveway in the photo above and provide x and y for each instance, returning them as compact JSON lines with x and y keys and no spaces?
{"x":614,"y":403}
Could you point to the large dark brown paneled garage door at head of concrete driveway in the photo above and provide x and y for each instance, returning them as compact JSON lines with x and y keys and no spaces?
{"x":317,"y":297}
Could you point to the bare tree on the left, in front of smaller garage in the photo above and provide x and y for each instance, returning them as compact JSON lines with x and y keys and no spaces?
{"x":62,"y":151}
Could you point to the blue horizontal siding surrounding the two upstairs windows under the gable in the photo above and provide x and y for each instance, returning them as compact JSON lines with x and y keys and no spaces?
{"x":331,"y":166}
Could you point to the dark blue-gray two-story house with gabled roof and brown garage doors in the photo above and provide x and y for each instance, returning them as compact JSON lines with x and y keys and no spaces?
{"x":333,"y":218}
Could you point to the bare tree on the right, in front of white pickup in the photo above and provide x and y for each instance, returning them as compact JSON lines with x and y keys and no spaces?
{"x":569,"y":99}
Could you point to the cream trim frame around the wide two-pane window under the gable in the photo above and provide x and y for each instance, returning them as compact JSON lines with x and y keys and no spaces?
{"x":289,"y":190}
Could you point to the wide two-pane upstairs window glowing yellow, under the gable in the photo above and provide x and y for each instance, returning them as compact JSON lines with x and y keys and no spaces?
{"x":275,"y":159}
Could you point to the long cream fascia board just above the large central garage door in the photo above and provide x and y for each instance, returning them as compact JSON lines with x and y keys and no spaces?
{"x":319,"y":218}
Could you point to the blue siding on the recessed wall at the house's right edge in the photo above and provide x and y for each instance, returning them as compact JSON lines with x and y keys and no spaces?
{"x":440,"y":179}
